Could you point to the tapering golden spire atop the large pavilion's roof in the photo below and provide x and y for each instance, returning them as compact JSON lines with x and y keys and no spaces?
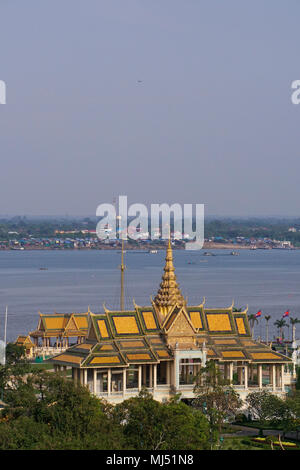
{"x":169,"y":293}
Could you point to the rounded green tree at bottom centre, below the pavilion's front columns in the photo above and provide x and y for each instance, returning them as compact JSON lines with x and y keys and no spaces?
{"x":150,"y":425}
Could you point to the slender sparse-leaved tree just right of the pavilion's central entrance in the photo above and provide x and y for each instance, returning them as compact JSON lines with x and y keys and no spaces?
{"x":215,"y":396}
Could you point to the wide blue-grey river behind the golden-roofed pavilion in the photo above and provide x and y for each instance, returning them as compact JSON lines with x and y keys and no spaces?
{"x":267,"y":280}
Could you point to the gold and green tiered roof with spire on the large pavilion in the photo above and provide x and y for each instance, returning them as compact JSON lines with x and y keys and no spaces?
{"x":151,"y":334}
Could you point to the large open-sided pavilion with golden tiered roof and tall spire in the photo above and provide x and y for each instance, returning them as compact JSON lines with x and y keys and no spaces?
{"x":163,"y":346}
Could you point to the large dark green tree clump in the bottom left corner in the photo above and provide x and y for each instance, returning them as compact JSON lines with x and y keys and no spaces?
{"x":66,"y":415}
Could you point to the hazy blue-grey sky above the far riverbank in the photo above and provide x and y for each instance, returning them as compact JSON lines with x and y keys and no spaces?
{"x":210,"y":122}
